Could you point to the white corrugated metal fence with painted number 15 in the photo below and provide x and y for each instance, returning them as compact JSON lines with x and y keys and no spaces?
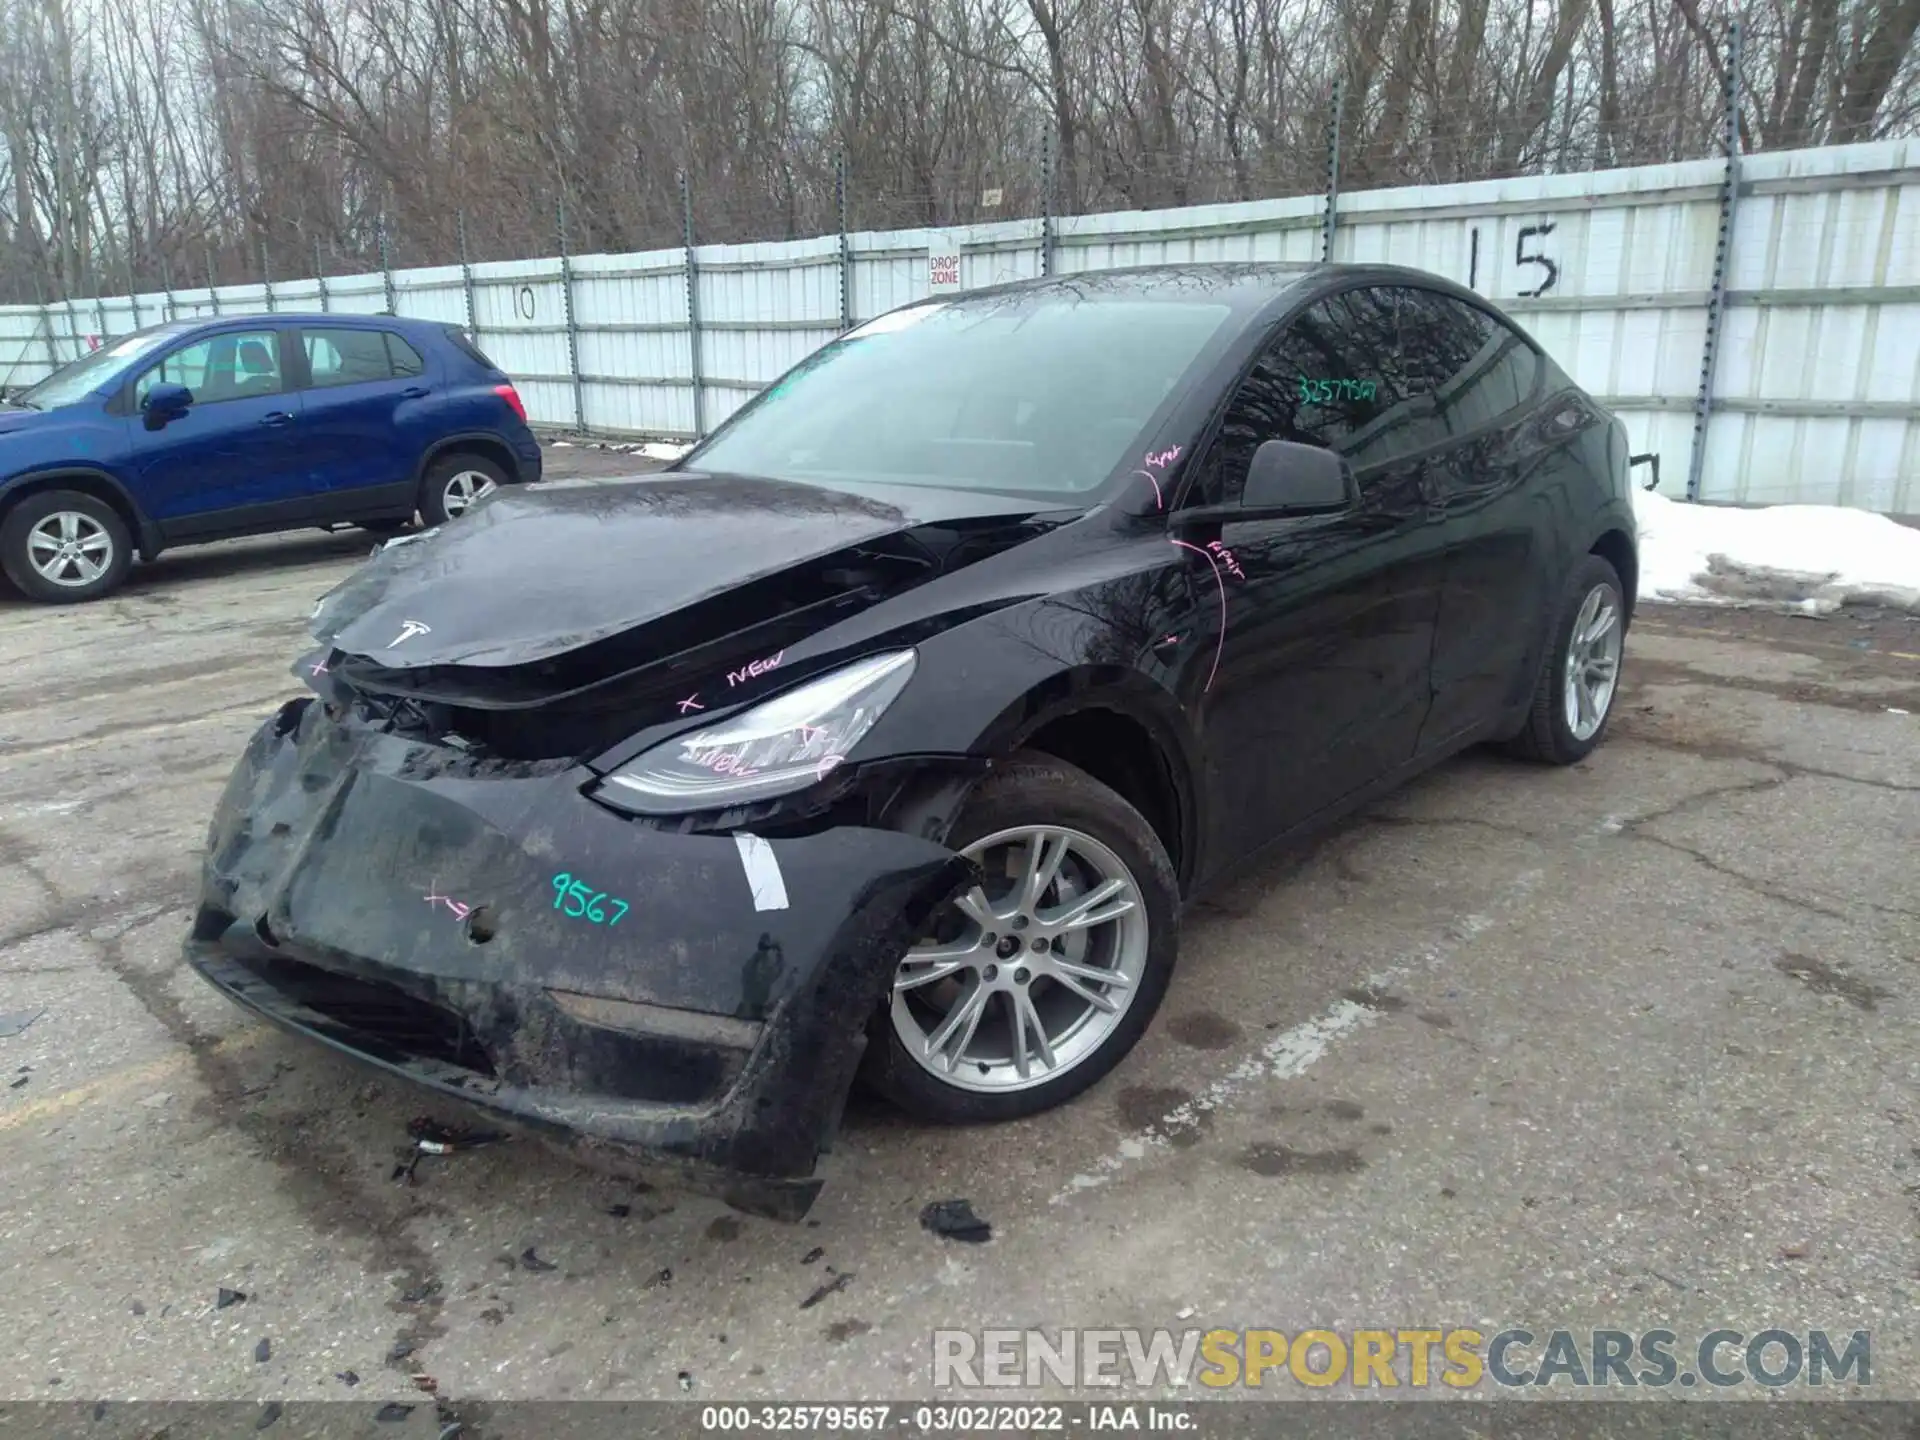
{"x":1817,"y":385}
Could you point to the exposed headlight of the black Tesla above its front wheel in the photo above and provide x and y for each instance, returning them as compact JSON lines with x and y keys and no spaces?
{"x":792,"y":742}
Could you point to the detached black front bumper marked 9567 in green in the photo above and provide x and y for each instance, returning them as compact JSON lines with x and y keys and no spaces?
{"x":681,"y":1007}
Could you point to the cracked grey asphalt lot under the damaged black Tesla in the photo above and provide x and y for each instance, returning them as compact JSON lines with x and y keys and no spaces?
{"x":1627,"y":1045}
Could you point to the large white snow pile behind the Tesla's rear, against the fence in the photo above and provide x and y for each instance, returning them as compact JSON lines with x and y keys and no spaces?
{"x":1810,"y":558}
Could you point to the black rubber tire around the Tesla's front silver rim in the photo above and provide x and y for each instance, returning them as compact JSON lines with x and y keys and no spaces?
{"x":1024,"y":792}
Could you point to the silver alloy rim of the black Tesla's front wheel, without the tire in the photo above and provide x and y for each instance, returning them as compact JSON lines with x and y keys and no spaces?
{"x":1030,"y":974}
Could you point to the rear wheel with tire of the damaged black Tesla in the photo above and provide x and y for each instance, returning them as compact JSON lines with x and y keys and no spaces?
{"x":1573,"y":698}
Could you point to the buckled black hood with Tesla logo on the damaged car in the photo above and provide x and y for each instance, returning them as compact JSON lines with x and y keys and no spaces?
{"x":539,"y":571}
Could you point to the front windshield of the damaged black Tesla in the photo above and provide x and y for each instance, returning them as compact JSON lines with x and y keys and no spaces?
{"x":1030,"y":393}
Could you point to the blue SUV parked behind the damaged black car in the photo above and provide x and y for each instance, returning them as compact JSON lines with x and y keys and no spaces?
{"x":214,"y":429}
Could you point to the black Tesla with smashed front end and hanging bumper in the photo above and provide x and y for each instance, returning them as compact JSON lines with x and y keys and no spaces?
{"x":890,"y":731}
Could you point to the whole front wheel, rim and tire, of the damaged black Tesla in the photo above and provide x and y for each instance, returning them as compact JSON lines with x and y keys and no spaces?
{"x":1040,"y":982}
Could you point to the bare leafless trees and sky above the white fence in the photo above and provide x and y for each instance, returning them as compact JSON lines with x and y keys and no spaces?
{"x":149,"y":141}
